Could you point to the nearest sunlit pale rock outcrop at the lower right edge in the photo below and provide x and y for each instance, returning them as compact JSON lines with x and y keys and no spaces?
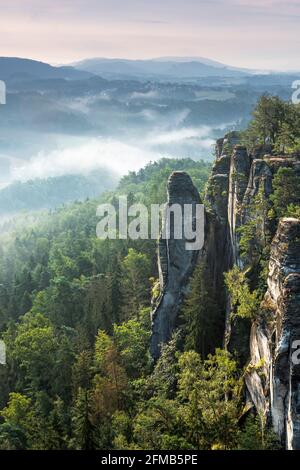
{"x":273,"y":380}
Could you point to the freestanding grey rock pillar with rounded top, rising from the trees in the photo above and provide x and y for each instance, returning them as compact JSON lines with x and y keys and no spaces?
{"x":175,"y":264}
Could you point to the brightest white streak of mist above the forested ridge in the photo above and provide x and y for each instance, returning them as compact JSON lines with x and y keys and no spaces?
{"x":119,"y":157}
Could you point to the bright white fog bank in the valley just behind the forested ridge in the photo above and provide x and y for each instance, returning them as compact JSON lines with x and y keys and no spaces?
{"x":62,"y":155}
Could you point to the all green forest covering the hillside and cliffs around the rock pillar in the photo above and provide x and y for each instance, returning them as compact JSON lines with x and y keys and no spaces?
{"x":75,"y":309}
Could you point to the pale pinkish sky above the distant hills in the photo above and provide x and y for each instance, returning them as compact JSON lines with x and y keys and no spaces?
{"x":260,"y":34}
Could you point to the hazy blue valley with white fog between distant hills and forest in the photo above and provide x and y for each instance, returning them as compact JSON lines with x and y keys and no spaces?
{"x":54,"y":128}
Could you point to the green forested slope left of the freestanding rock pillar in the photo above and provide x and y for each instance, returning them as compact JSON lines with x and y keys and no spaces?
{"x":75,"y":317}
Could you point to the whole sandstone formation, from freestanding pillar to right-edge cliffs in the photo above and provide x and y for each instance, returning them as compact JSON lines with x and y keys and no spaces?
{"x":272,"y":379}
